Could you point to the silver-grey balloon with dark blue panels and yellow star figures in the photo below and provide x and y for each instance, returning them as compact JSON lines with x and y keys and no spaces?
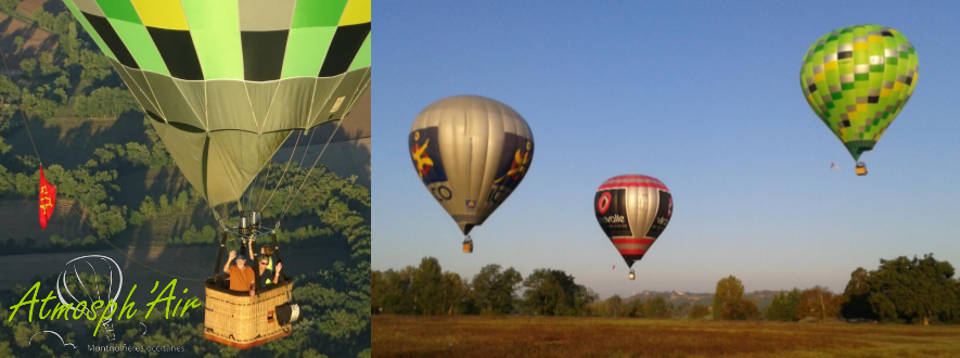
{"x":471,"y":152}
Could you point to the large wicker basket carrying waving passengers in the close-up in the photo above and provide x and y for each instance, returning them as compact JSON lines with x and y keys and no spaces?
{"x":242,"y":321}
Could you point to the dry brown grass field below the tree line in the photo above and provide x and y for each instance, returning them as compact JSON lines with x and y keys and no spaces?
{"x":498,"y":337}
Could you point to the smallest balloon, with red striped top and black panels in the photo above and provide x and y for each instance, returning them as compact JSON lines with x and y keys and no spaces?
{"x":633,"y":210}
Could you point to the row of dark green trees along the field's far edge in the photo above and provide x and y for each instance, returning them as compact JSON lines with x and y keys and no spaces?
{"x":902,"y":290}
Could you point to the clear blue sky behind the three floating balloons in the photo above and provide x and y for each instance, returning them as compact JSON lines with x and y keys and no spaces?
{"x":702,"y":95}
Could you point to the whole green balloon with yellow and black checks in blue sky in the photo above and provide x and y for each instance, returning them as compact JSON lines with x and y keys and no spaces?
{"x":857,"y":79}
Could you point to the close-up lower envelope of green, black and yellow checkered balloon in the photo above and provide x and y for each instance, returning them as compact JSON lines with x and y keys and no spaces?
{"x":226,"y":81}
